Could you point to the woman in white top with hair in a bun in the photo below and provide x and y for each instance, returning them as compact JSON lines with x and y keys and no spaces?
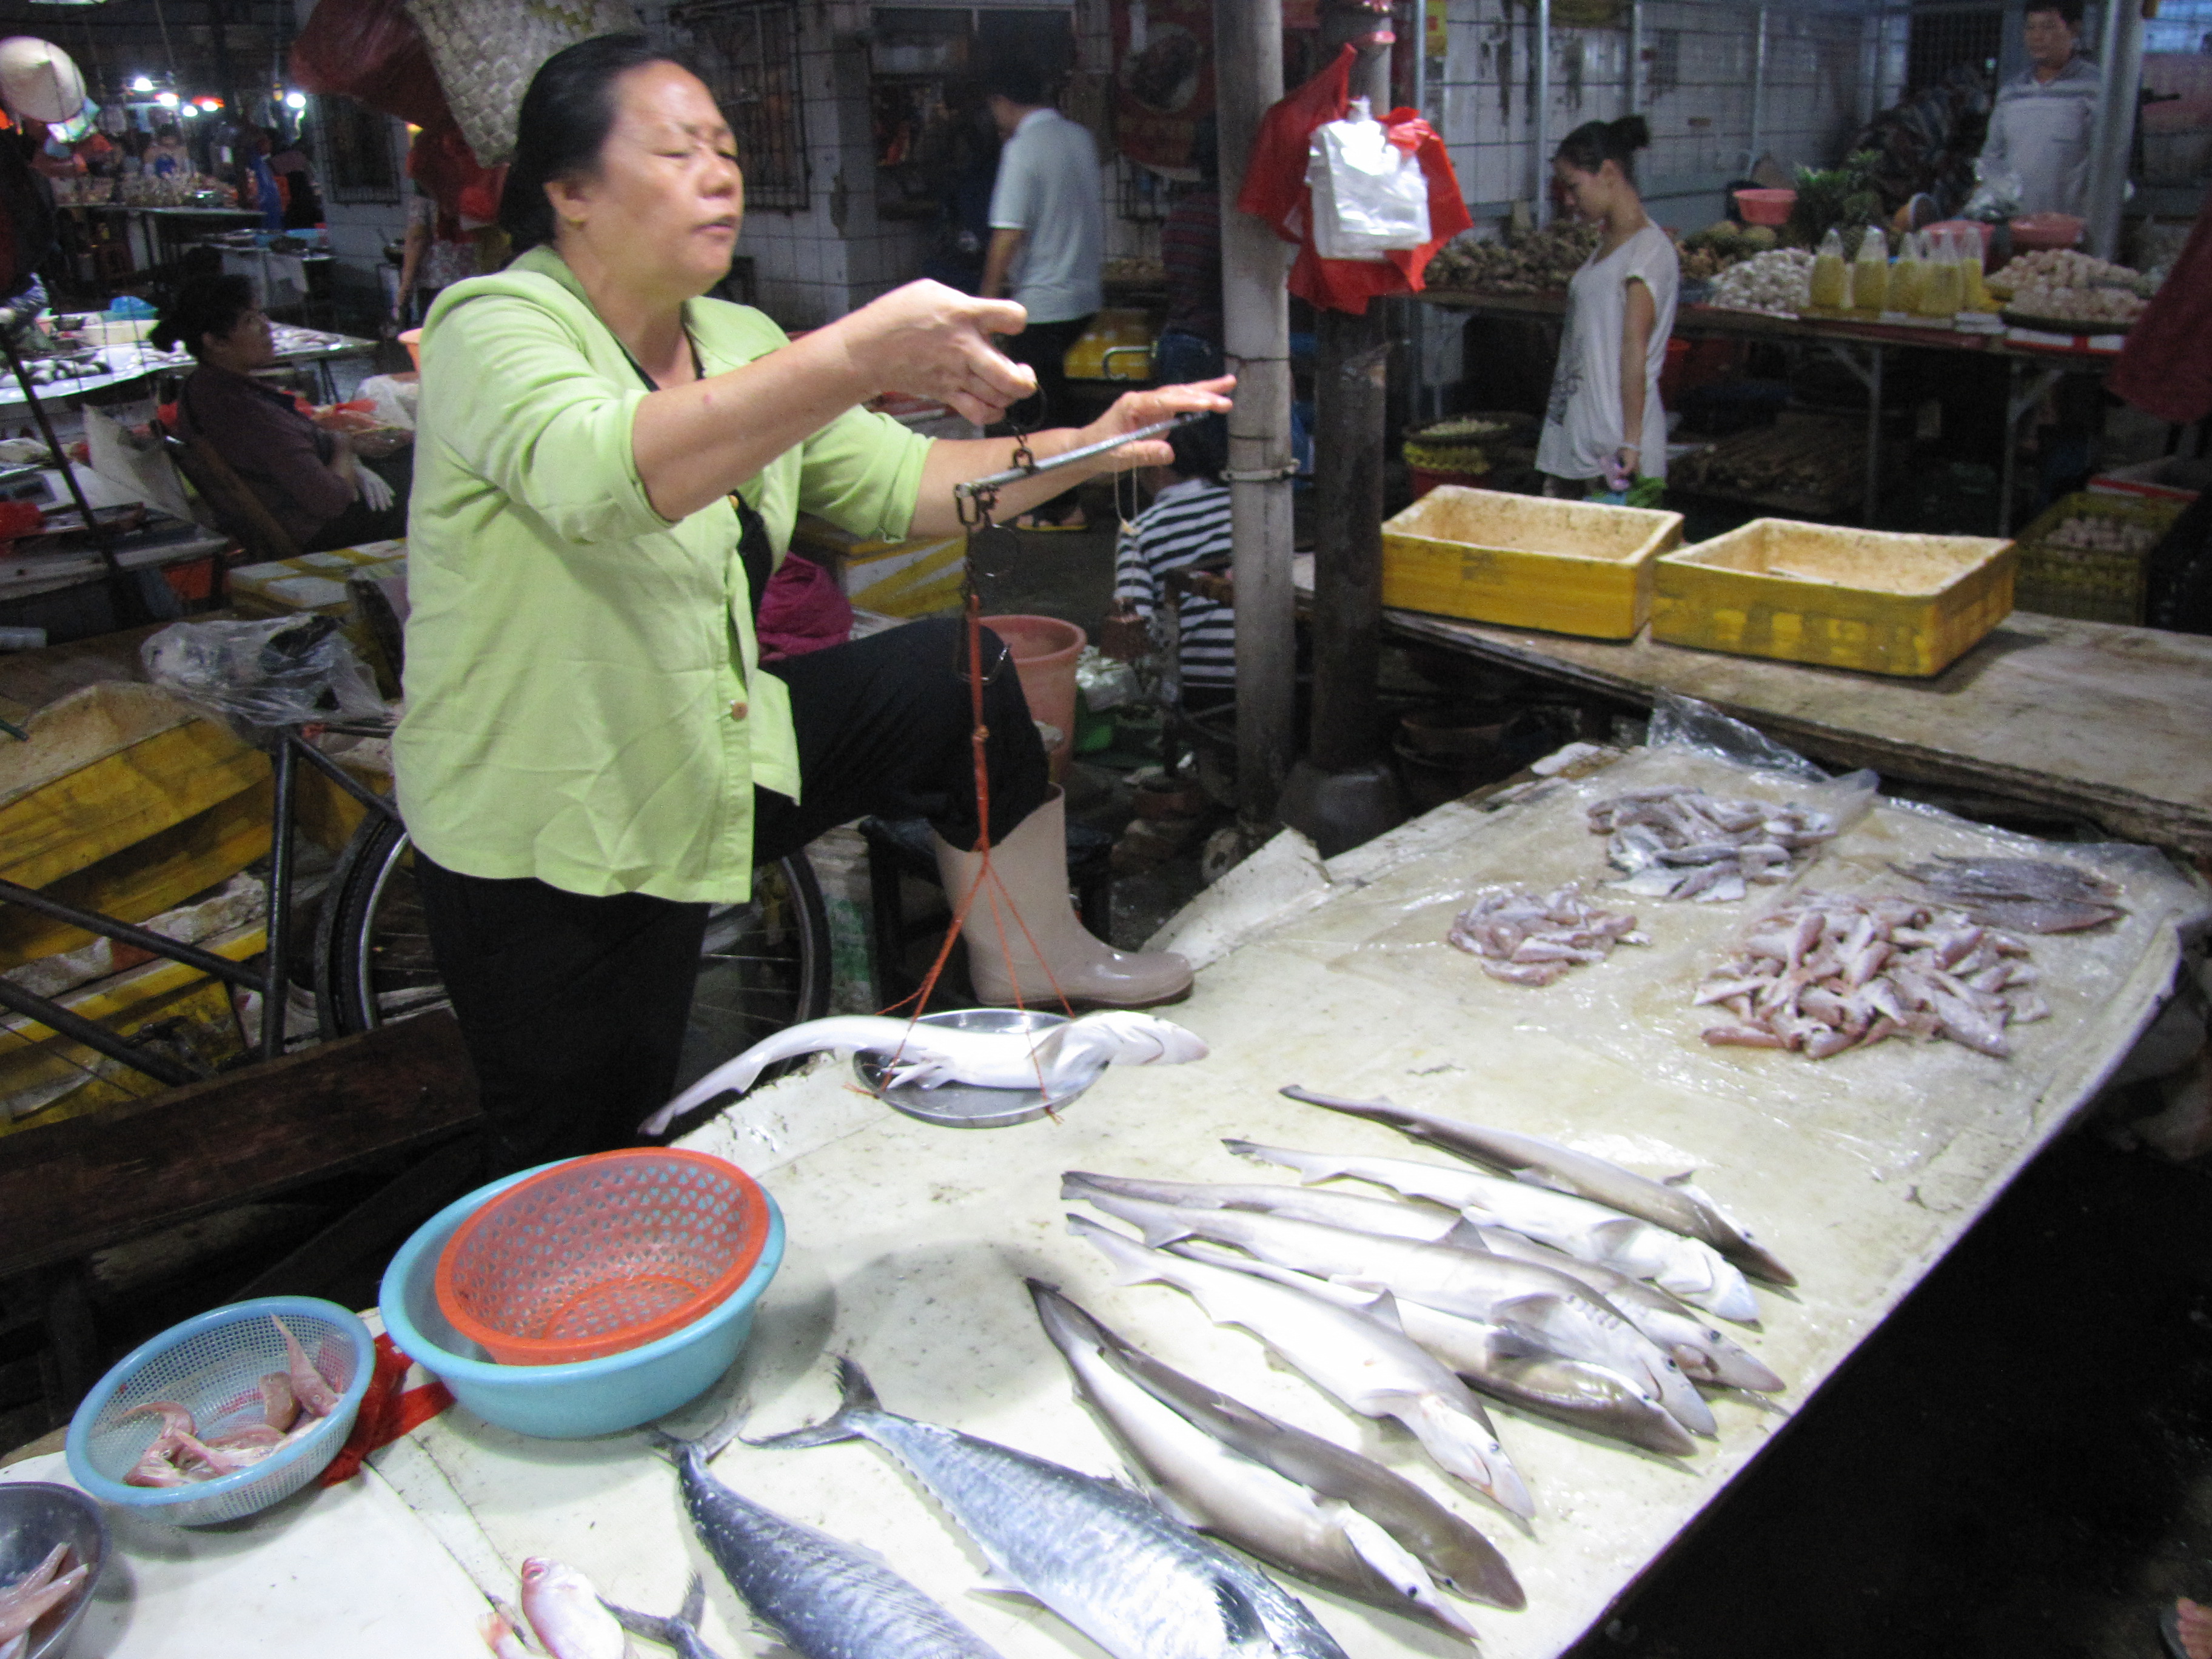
{"x":1605,"y":428}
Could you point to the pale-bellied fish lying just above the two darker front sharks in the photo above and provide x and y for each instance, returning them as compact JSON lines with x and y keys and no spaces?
{"x":1373,"y":1368}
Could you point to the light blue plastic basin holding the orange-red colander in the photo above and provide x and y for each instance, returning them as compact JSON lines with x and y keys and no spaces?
{"x":563,"y":1401}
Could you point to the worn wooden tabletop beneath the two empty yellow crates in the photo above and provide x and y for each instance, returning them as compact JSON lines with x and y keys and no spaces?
{"x":2107,"y":722}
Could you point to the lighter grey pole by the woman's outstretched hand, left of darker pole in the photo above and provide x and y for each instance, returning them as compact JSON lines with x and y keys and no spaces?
{"x":1255,"y":313}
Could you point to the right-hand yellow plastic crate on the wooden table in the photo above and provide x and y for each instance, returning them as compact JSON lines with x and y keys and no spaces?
{"x":1835,"y":598}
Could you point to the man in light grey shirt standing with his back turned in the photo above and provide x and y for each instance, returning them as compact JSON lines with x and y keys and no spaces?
{"x":1047,"y":236}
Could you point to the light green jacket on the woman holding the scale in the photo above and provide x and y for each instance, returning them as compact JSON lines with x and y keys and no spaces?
{"x":585,"y":700}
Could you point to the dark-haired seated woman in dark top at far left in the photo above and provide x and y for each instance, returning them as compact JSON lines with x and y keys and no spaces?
{"x":313,"y":483}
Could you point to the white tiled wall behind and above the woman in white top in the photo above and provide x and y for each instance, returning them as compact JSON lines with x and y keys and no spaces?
{"x":1693,"y":87}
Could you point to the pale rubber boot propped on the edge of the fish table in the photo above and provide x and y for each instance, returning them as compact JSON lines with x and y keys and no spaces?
{"x":1032,"y":868}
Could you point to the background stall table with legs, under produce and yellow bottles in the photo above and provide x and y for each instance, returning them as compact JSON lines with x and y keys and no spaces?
{"x":2034,"y":359}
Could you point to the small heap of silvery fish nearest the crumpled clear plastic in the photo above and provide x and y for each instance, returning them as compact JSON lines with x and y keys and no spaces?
{"x":1682,"y":844}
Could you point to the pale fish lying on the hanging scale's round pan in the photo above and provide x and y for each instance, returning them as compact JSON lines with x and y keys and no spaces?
{"x":1065,"y":1058}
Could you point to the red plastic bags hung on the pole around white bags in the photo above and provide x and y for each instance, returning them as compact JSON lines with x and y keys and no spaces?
{"x":1275,"y":191}
